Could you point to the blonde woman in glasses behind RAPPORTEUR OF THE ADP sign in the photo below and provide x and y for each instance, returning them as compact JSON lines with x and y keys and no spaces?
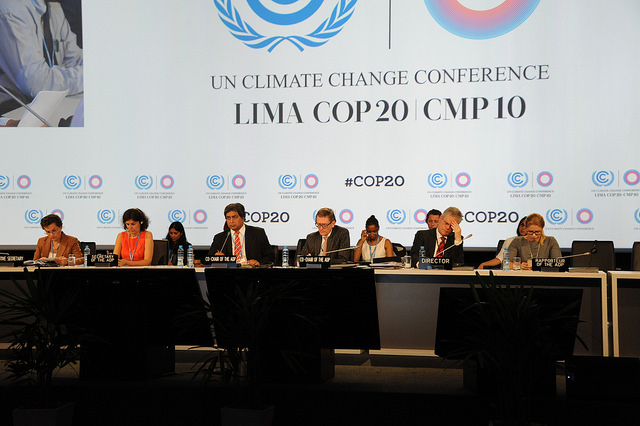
{"x":534,"y":244}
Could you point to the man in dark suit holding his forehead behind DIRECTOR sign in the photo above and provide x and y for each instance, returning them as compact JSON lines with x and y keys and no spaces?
{"x":435,"y":241}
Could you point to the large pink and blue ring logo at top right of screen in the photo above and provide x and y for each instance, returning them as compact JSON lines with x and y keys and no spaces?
{"x":480,"y":24}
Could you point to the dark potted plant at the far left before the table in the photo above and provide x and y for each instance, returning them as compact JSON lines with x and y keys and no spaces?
{"x":43,"y":340}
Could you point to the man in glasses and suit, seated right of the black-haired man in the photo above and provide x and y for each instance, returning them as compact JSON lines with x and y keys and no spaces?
{"x":328,"y":238}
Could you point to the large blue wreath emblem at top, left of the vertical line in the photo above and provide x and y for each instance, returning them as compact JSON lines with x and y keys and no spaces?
{"x":275,"y":21}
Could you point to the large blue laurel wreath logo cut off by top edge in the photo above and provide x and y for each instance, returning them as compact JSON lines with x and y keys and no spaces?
{"x":241,"y":30}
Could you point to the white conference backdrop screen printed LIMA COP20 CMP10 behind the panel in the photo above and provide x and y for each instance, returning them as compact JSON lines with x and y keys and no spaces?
{"x":167,"y":131}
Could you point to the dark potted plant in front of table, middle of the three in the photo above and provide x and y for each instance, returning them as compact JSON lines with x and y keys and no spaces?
{"x":244,"y":319}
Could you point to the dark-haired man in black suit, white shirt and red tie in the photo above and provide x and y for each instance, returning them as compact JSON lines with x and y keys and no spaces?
{"x":248,"y":243}
